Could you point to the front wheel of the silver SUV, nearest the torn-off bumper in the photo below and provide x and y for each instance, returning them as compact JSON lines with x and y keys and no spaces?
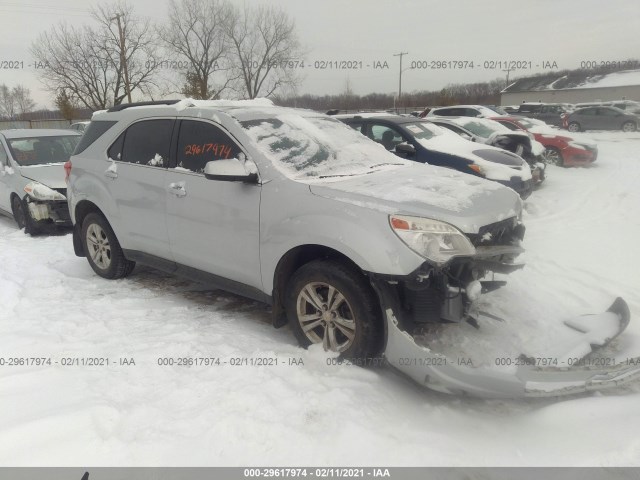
{"x":327,"y":302}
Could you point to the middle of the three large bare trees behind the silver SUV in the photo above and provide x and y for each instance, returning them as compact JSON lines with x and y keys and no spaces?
{"x":196,"y":32}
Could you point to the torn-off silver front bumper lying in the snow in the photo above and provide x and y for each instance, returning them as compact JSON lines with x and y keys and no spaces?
{"x":567,"y":376}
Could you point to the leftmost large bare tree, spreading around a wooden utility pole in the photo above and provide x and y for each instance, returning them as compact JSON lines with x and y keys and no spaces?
{"x":85,"y":62}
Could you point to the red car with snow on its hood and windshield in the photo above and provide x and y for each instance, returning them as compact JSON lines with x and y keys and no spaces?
{"x":560,"y":150}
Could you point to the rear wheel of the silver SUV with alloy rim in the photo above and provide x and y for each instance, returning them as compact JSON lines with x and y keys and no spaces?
{"x":103,"y":249}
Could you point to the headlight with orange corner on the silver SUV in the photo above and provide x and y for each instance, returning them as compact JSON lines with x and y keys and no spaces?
{"x":434,"y":240}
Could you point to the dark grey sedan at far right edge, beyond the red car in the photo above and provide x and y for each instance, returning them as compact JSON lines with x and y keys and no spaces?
{"x":600,"y":118}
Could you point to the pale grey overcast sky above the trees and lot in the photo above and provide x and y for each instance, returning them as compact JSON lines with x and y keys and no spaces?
{"x":531,"y":32}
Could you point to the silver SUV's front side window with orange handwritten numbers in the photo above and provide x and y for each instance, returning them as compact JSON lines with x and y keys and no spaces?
{"x":201,"y":142}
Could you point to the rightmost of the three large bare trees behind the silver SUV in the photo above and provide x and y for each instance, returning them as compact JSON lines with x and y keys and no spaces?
{"x":266,"y":47}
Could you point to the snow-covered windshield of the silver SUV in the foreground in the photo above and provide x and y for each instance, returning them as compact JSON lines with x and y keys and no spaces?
{"x":307,"y":147}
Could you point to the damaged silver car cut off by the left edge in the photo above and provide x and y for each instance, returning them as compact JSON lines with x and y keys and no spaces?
{"x":32,"y":186}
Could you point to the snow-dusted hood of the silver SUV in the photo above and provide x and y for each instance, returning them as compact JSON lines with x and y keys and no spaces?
{"x":462,"y":200}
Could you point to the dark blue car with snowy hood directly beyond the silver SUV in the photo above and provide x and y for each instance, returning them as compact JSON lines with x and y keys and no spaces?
{"x":422,"y":141}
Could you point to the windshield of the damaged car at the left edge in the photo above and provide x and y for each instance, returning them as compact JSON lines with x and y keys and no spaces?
{"x":43,"y":150}
